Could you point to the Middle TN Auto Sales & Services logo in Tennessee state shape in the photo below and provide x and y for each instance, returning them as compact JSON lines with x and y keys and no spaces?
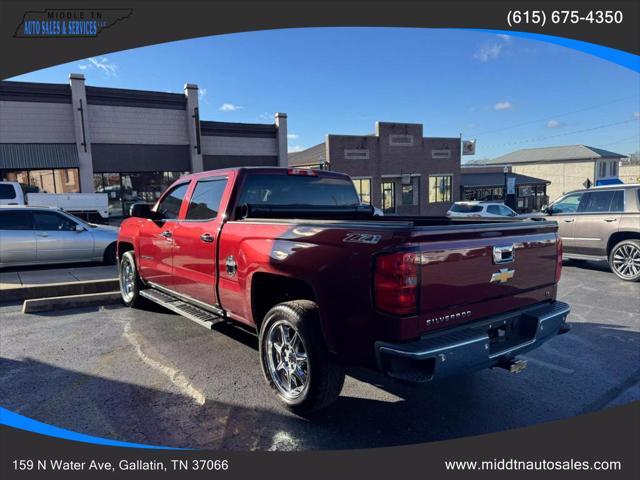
{"x":68,"y":23}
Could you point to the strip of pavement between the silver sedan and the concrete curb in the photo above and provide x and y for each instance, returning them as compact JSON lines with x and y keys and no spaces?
{"x":23,"y":277}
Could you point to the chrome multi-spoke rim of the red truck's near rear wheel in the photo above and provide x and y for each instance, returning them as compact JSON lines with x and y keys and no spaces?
{"x":287,"y":360}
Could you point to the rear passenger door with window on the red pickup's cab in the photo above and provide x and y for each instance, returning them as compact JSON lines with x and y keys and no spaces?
{"x":195,"y":240}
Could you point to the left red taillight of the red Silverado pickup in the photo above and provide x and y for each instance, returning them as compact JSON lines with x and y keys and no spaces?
{"x":395,"y":283}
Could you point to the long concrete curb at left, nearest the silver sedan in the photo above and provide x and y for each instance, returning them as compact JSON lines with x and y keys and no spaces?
{"x":58,"y":289}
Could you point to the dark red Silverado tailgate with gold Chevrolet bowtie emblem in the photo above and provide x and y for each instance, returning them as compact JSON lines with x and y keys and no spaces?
{"x":459,"y":272}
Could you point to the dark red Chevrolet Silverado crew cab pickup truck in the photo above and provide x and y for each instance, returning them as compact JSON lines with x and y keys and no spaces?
{"x":293,"y":255}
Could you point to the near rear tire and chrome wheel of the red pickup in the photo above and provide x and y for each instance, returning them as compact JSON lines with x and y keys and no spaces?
{"x":295,"y":360}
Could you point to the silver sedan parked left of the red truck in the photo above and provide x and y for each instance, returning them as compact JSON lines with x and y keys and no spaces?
{"x":42,"y":235}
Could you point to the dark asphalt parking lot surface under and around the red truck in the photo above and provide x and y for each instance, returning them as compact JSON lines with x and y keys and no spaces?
{"x":153,"y":377}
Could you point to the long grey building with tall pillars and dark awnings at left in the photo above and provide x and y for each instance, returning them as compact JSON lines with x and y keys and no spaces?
{"x":129,"y":144}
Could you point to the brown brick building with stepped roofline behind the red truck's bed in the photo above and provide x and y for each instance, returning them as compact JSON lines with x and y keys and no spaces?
{"x":396,"y":169}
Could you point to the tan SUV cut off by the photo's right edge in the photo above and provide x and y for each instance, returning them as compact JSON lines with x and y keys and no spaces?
{"x":601,"y":223}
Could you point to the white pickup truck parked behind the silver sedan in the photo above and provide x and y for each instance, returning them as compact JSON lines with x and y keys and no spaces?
{"x":92,"y":207}
